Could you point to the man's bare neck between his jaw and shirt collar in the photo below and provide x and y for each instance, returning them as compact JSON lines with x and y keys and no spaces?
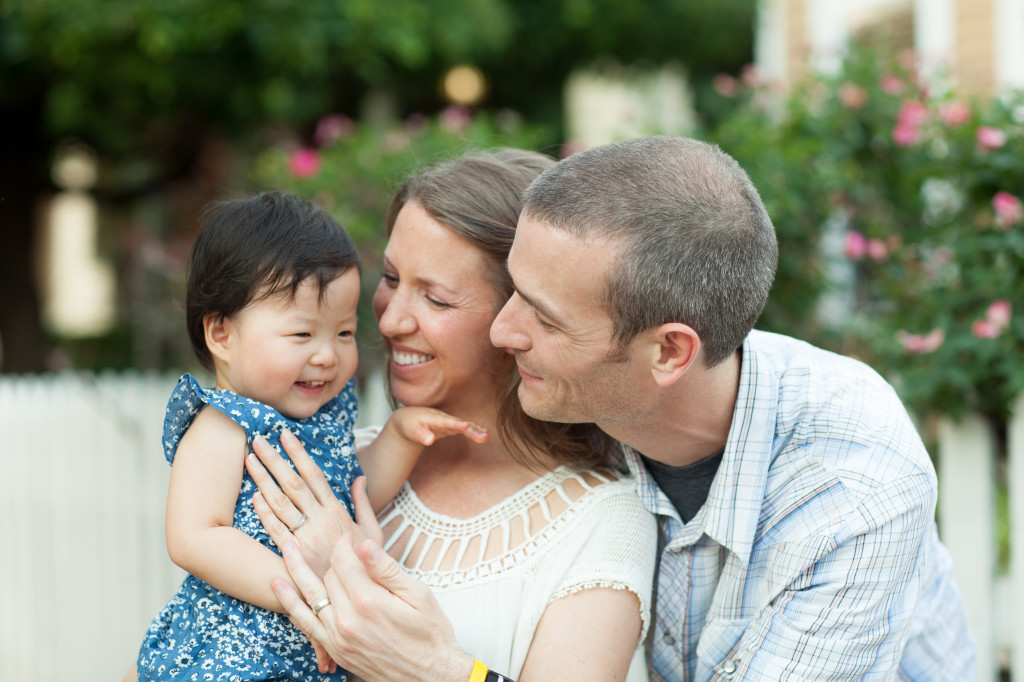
{"x":691,"y":422}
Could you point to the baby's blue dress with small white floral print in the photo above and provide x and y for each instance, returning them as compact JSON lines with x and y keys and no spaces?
{"x":202,"y":633}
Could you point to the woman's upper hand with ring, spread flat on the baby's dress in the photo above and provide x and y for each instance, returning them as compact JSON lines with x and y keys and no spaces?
{"x":304,"y":509}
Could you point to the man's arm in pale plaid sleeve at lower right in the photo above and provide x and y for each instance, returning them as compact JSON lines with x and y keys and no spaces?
{"x":847,"y":614}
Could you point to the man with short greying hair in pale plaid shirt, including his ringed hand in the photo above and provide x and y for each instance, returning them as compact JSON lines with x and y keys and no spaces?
{"x":794,"y":496}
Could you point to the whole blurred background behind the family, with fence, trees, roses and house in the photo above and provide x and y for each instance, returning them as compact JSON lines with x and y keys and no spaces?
{"x":886,"y":137}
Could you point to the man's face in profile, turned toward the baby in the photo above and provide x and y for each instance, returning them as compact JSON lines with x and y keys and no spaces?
{"x":562,"y":334}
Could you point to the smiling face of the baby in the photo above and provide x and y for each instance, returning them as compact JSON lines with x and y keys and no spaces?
{"x":293,"y":354}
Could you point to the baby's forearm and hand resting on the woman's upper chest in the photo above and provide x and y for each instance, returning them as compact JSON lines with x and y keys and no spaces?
{"x":390,"y":459}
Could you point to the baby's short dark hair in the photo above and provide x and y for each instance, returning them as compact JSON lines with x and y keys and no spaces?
{"x":250,"y":249}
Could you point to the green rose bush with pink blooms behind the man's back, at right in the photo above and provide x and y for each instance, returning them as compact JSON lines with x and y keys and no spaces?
{"x":926,"y":187}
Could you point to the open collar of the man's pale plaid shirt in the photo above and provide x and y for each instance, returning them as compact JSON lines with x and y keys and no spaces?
{"x":732,"y":514}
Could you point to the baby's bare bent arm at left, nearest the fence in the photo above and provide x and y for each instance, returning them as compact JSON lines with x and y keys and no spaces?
{"x":206,"y":479}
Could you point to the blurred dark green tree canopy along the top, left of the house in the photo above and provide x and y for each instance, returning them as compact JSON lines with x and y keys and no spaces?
{"x":127,"y":74}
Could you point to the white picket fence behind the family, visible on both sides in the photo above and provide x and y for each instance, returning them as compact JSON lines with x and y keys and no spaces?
{"x":84,"y":568}
